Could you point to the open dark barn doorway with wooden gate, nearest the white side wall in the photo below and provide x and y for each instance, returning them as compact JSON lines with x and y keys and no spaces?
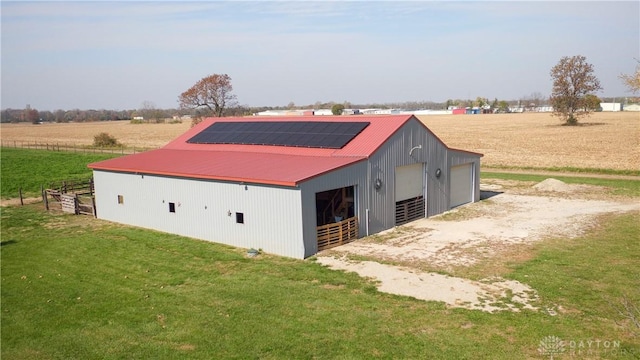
{"x":336,"y":220}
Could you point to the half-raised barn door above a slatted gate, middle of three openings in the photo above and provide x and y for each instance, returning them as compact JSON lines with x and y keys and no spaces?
{"x":409,"y":193}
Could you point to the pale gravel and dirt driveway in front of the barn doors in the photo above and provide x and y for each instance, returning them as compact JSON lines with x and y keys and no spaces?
{"x":477,"y":232}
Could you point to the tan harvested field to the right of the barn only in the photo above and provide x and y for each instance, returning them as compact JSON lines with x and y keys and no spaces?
{"x":606,"y":140}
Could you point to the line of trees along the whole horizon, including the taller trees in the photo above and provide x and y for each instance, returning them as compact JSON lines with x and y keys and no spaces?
{"x":572,"y":96}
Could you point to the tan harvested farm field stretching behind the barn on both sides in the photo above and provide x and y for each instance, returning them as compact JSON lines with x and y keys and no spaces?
{"x":606,"y":140}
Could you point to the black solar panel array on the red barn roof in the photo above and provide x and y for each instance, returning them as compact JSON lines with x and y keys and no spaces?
{"x":315,"y":134}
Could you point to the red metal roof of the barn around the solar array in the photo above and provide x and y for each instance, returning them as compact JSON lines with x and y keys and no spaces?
{"x":276,"y":165}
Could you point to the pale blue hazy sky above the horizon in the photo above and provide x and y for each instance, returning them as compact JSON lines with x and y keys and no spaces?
{"x":121,"y":55}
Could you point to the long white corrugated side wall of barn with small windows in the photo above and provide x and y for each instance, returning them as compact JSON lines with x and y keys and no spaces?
{"x":272,"y":215}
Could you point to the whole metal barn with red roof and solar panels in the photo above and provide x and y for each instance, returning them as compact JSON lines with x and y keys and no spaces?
{"x":290,"y":186}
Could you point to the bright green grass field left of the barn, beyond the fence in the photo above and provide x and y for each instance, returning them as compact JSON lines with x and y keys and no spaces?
{"x":31,"y":169}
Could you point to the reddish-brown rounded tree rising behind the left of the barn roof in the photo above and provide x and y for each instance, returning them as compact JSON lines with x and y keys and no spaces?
{"x":212,"y":92}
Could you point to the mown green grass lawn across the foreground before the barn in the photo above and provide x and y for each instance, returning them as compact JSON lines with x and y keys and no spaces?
{"x":76,"y":287}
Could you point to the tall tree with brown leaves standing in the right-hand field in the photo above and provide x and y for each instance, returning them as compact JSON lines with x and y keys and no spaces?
{"x":573,"y":79}
